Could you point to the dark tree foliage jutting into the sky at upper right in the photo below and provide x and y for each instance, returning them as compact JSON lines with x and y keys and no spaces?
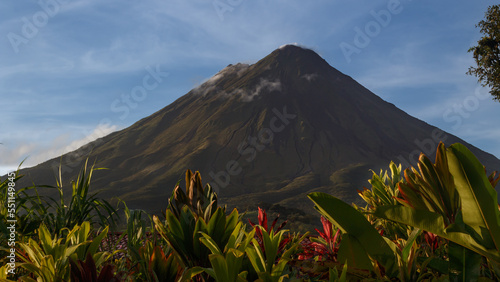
{"x":487,"y":52}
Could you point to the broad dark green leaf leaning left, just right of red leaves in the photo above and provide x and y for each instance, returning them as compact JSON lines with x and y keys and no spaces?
{"x":350,"y":221}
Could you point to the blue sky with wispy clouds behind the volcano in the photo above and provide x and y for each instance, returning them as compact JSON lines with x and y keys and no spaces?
{"x":68,"y":66}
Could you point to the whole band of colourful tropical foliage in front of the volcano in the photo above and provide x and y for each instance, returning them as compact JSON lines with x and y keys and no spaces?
{"x":439,"y":221}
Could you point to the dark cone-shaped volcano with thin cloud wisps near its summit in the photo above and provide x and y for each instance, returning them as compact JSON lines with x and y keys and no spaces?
{"x":261,"y":134}
